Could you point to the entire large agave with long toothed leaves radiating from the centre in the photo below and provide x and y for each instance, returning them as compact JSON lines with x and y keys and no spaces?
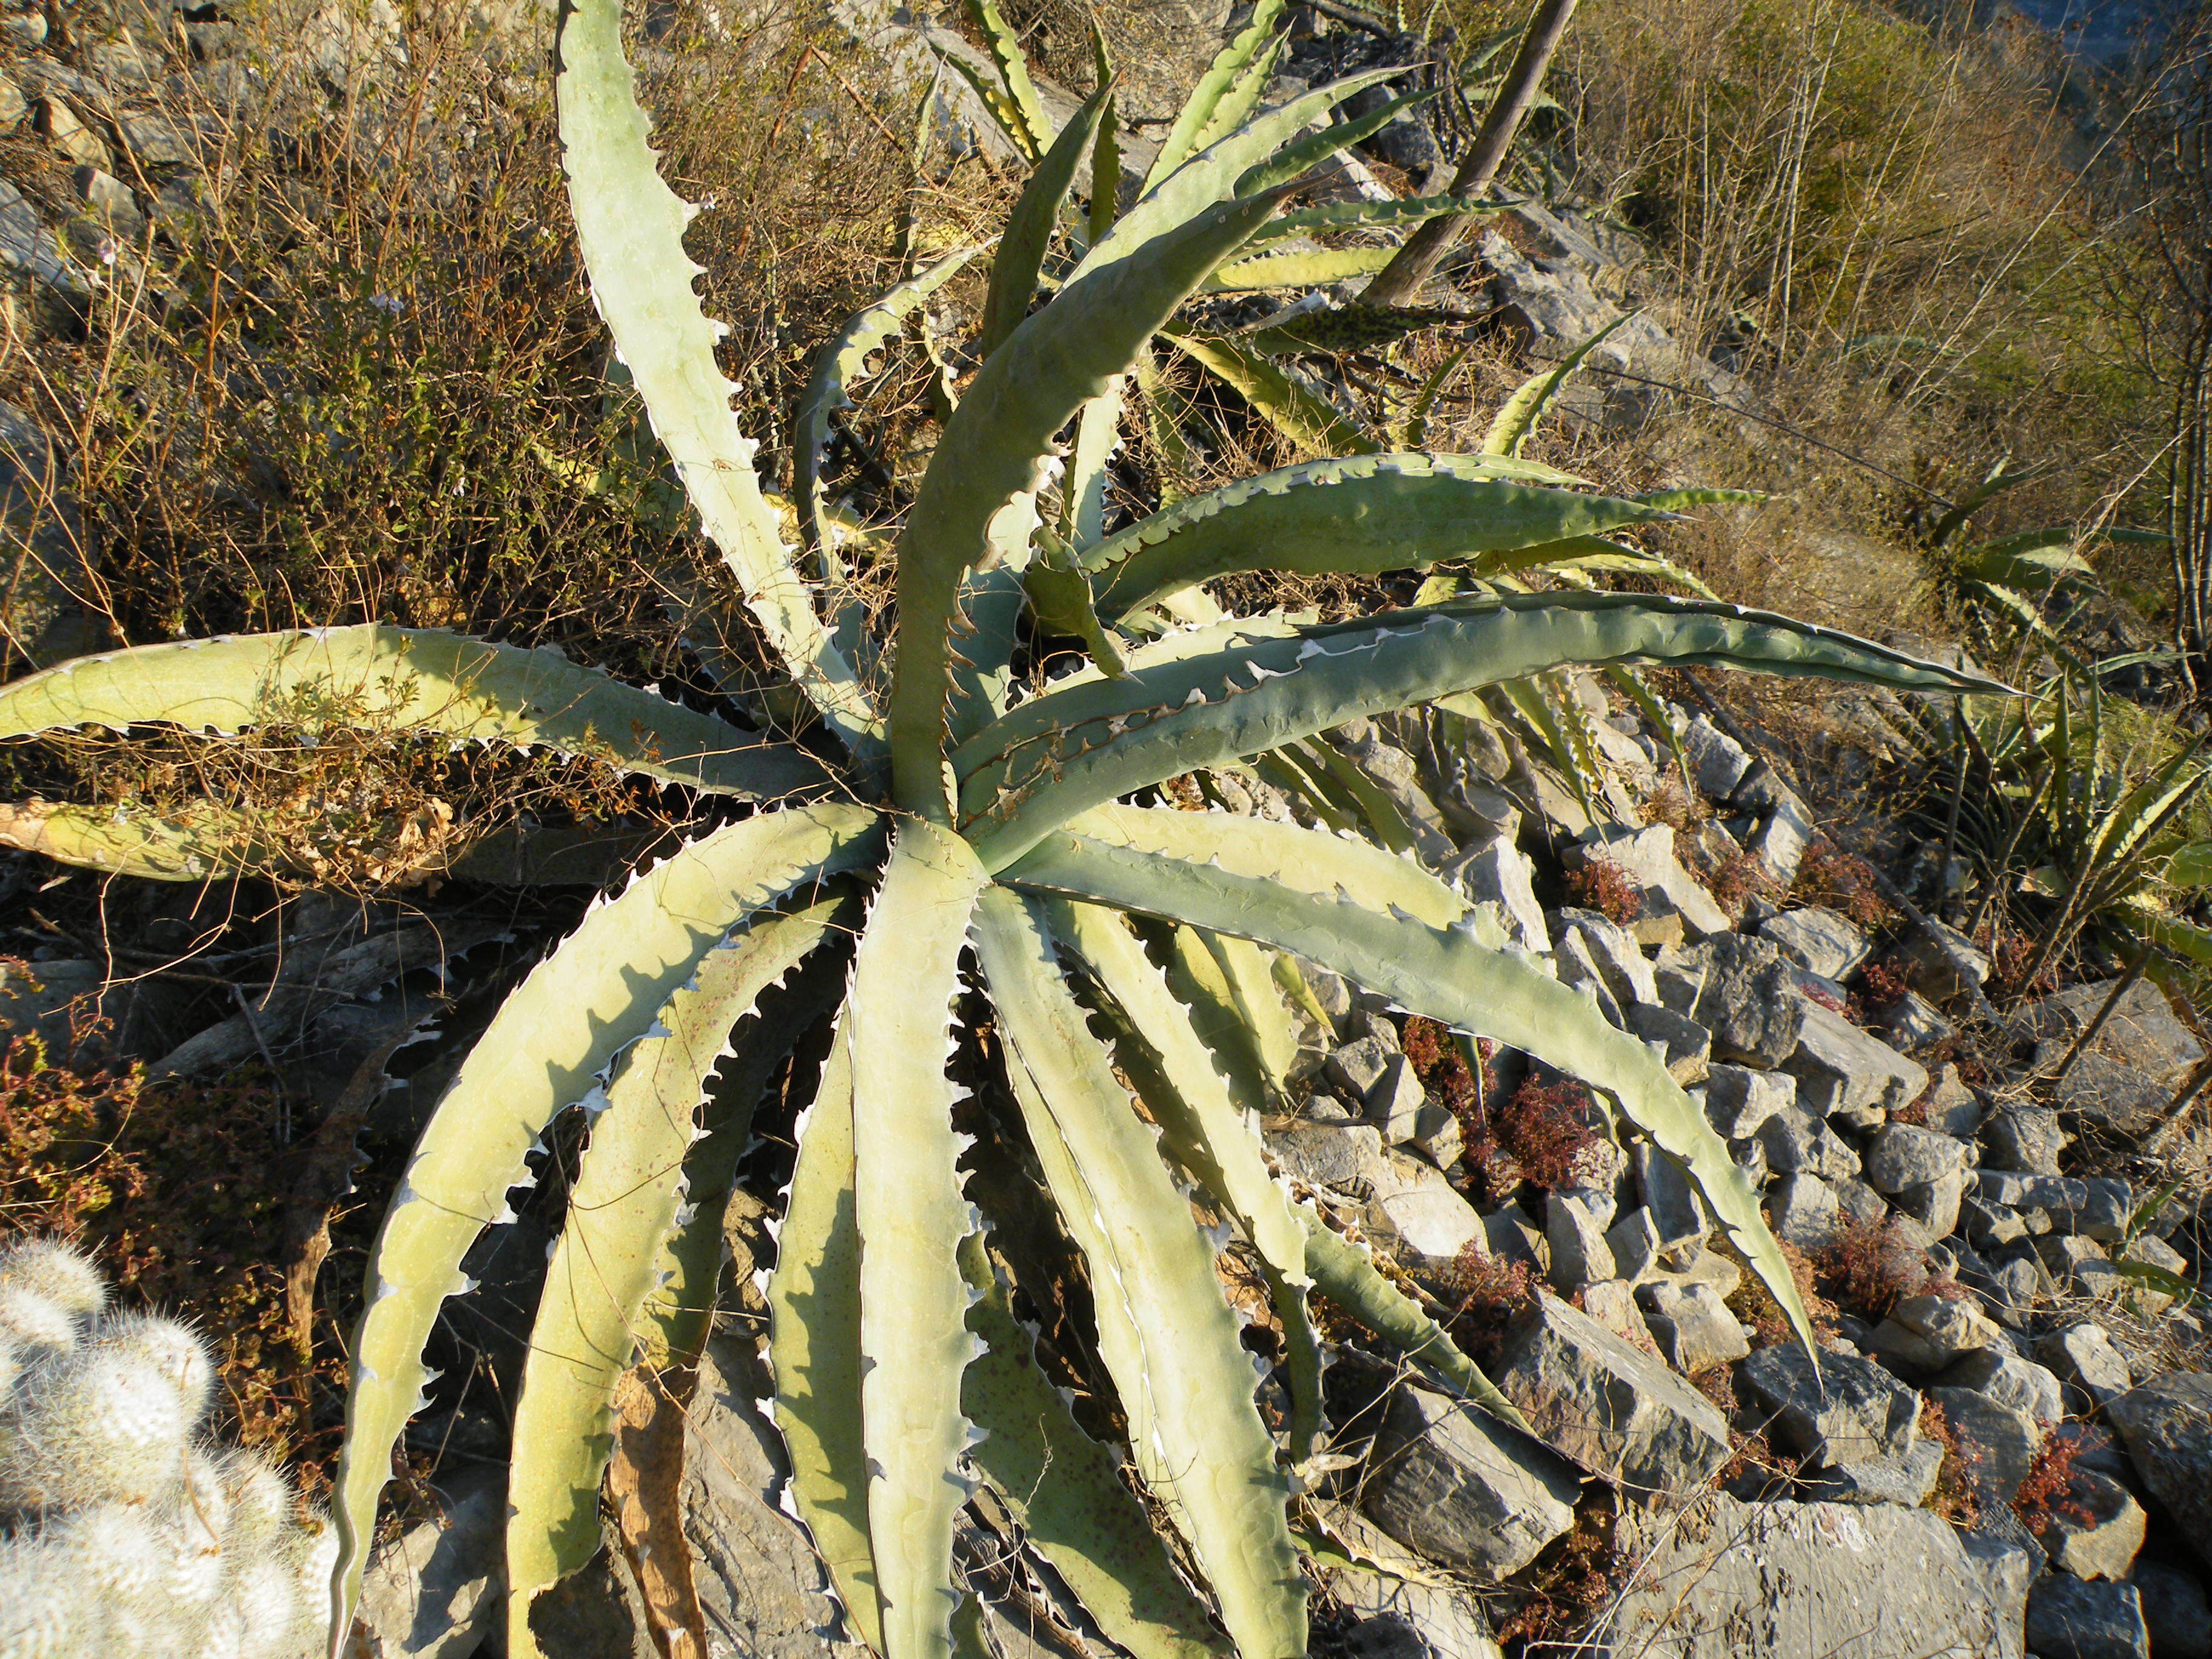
{"x":961,"y":842}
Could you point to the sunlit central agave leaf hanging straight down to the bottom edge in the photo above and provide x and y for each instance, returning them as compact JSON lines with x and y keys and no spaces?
{"x":912,"y":1215}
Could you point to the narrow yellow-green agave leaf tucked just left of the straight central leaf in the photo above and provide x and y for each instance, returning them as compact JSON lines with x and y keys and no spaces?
{"x":815,"y":1344}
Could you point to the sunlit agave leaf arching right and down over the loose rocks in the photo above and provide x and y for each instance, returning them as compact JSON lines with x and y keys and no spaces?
{"x":1446,"y":974}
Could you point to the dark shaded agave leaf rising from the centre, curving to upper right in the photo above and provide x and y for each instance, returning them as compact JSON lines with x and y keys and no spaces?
{"x":992,"y":459}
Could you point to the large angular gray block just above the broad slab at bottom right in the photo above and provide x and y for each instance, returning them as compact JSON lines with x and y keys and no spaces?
{"x":1614,"y":1410}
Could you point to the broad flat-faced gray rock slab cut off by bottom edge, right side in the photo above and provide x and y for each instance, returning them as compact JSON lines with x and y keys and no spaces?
{"x":1784,"y":1580}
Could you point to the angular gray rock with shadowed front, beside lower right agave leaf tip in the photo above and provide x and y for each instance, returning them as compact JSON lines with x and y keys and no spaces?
{"x":1465,"y":1490}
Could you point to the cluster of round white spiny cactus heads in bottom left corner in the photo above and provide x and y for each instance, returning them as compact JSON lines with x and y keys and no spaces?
{"x":121,"y":1530}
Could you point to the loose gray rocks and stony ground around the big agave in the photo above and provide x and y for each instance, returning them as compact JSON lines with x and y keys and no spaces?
{"x":2007,"y":1443}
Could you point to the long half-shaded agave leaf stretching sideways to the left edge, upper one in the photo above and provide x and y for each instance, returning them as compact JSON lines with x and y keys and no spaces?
{"x":406,"y":678}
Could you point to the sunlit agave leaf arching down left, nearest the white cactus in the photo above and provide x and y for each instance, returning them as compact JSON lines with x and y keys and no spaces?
{"x":543,"y":1052}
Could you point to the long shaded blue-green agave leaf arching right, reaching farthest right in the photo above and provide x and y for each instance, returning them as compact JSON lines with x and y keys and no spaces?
{"x":1094,"y":742}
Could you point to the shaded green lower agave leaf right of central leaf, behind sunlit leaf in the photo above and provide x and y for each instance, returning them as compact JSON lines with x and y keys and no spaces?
{"x":1067,"y":1492}
